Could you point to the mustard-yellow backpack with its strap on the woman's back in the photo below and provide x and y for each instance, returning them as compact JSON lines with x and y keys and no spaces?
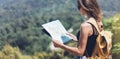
{"x":103,"y":45}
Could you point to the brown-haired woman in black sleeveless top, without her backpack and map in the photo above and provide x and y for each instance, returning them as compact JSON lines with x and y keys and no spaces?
{"x":87,"y":35}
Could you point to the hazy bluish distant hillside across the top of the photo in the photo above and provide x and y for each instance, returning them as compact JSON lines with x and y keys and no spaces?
{"x":11,"y":10}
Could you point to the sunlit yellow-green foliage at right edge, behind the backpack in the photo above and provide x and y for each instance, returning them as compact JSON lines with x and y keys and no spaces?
{"x":113,"y":24}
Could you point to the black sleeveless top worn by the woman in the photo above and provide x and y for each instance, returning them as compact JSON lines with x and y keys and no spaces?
{"x":90,"y":42}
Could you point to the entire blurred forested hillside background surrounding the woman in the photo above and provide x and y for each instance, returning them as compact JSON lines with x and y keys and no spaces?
{"x":22,"y":36}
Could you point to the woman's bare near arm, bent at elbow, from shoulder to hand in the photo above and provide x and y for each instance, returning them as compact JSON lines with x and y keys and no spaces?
{"x":85,"y":31}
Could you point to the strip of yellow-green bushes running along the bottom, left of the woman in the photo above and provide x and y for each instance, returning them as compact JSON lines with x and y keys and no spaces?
{"x":9,"y":52}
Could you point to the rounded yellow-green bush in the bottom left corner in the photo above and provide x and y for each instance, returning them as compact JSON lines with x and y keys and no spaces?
{"x":9,"y":52}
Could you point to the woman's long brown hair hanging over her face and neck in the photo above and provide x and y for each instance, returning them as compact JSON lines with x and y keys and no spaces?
{"x":91,"y":7}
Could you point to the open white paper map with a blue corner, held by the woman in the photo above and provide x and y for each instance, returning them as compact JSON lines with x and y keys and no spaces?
{"x":57,"y":31}
